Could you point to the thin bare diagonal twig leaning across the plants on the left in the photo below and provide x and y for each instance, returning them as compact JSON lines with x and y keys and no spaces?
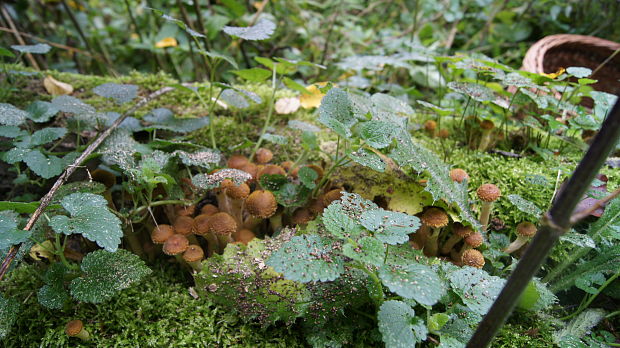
{"x":45,"y":201}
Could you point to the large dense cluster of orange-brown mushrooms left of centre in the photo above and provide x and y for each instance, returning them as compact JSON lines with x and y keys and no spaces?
{"x":238,"y":213}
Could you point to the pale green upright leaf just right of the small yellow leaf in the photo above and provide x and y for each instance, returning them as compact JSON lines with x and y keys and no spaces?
{"x":335,"y":112}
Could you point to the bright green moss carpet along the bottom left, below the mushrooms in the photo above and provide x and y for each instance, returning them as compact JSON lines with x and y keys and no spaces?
{"x":158,"y":312}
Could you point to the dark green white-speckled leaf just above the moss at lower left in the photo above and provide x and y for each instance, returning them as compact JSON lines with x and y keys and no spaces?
{"x":106,"y":273}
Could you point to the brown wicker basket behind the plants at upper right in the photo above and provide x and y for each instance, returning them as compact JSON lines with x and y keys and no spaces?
{"x":565,"y":50}
